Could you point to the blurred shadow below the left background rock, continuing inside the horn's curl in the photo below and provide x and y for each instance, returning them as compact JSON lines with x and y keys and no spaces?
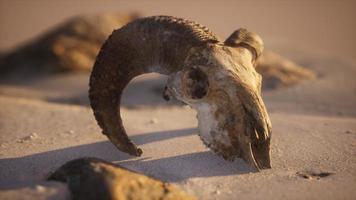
{"x":72,"y":88}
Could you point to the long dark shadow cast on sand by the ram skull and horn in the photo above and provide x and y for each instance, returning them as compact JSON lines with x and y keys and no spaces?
{"x":36,"y":167}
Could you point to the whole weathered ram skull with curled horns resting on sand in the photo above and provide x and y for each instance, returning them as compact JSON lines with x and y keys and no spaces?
{"x":217,"y":79}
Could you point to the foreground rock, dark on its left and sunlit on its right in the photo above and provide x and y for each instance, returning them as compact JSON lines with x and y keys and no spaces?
{"x":92,"y":178}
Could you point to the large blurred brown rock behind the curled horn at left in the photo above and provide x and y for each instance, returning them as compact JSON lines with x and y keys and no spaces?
{"x":70,"y":46}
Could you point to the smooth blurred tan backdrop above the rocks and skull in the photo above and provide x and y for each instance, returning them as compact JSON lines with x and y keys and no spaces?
{"x":323,"y":25}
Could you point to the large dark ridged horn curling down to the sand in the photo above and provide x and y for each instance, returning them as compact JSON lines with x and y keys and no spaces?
{"x":153,"y":44}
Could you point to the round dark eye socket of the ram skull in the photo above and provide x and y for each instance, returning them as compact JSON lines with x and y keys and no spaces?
{"x":197,"y":83}
